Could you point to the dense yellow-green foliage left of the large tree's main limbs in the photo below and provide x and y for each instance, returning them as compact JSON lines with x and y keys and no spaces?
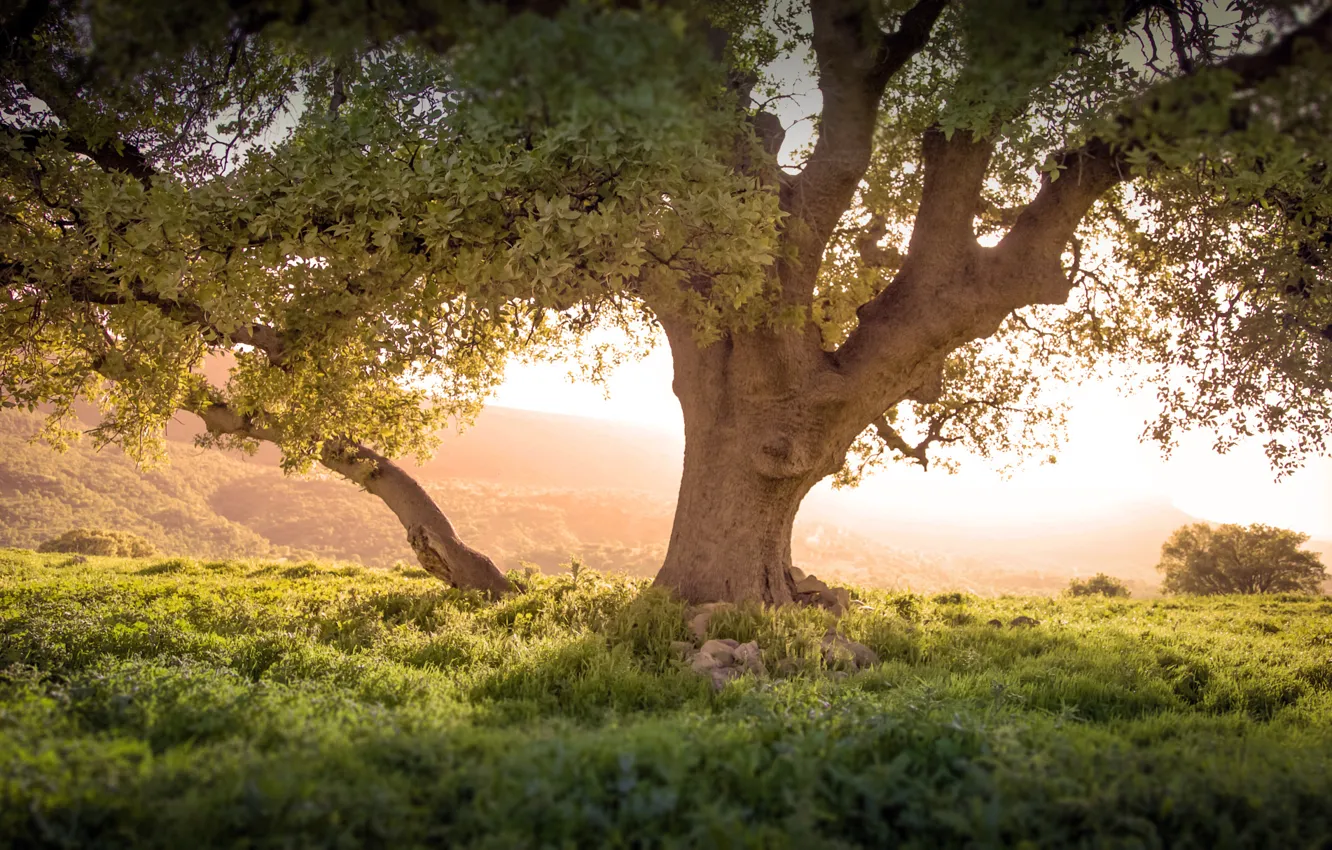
{"x":372,"y":266}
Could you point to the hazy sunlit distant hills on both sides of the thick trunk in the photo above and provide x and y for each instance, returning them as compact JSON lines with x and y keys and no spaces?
{"x":529,"y":488}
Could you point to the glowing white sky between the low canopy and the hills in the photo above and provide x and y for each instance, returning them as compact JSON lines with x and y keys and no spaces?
{"x":1102,"y":466}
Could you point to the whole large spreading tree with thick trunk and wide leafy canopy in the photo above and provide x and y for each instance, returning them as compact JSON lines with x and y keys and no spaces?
{"x":997,"y":193}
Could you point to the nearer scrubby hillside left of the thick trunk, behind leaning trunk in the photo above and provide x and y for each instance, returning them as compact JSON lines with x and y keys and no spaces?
{"x":215,"y":504}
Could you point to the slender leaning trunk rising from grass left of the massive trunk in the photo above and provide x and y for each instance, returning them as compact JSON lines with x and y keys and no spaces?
{"x":438,"y":546}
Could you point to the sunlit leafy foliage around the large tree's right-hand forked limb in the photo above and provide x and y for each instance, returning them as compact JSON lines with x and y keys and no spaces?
{"x":1205,"y":270}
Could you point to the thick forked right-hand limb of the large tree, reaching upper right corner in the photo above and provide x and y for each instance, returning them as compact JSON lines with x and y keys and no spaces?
{"x":952,"y":291}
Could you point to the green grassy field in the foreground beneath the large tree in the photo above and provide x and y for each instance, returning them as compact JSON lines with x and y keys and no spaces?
{"x":183,"y":704}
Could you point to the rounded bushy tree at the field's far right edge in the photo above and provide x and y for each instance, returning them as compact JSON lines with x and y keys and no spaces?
{"x":1234,"y":559}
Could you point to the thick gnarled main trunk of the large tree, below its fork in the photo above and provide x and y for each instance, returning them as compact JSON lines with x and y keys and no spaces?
{"x":760,"y":432}
